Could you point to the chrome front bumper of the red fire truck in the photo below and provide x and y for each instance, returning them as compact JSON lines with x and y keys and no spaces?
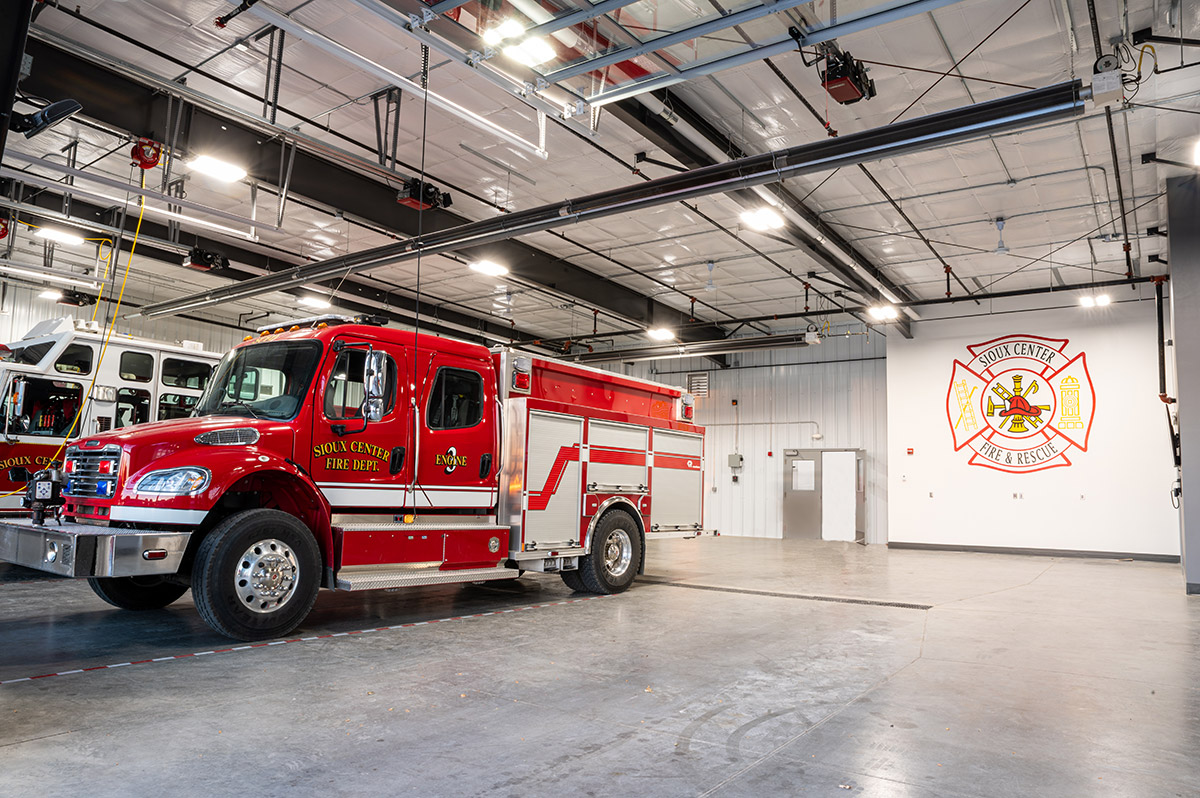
{"x":81,"y":550}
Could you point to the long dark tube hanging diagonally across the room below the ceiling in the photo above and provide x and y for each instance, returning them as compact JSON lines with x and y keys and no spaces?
{"x":923,"y":134}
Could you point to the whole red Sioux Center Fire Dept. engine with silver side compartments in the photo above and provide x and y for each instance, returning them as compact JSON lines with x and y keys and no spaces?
{"x":346,"y":455}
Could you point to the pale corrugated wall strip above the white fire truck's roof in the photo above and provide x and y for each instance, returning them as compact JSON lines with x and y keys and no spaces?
{"x":22,"y":309}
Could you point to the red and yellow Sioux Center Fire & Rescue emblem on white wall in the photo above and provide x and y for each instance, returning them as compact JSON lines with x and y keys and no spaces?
{"x":1022,"y":404}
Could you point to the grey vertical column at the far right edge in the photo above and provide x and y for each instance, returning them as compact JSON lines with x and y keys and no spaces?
{"x":1183,"y":212}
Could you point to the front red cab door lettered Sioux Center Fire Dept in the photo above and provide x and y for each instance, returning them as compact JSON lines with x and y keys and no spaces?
{"x":362,"y":465}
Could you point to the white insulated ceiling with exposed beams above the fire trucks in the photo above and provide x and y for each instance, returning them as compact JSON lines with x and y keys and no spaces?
{"x":910,"y":218}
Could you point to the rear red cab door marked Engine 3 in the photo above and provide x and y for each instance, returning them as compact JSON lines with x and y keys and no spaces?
{"x":459,"y":436}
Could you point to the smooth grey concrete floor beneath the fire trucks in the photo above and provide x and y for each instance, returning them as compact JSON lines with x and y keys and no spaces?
{"x":1025,"y":677}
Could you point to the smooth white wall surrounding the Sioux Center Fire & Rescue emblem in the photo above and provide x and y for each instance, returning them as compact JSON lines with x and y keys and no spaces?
{"x":1114,"y":497}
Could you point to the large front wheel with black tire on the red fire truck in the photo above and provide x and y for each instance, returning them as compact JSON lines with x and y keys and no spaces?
{"x":256,"y":575}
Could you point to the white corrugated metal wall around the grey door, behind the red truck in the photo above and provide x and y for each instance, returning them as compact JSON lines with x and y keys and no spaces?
{"x":842,"y":385}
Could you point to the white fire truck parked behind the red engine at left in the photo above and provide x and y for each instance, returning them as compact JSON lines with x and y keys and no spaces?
{"x":46,"y":377}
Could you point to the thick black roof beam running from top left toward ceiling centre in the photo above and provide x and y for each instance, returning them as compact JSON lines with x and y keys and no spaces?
{"x":142,"y":111}
